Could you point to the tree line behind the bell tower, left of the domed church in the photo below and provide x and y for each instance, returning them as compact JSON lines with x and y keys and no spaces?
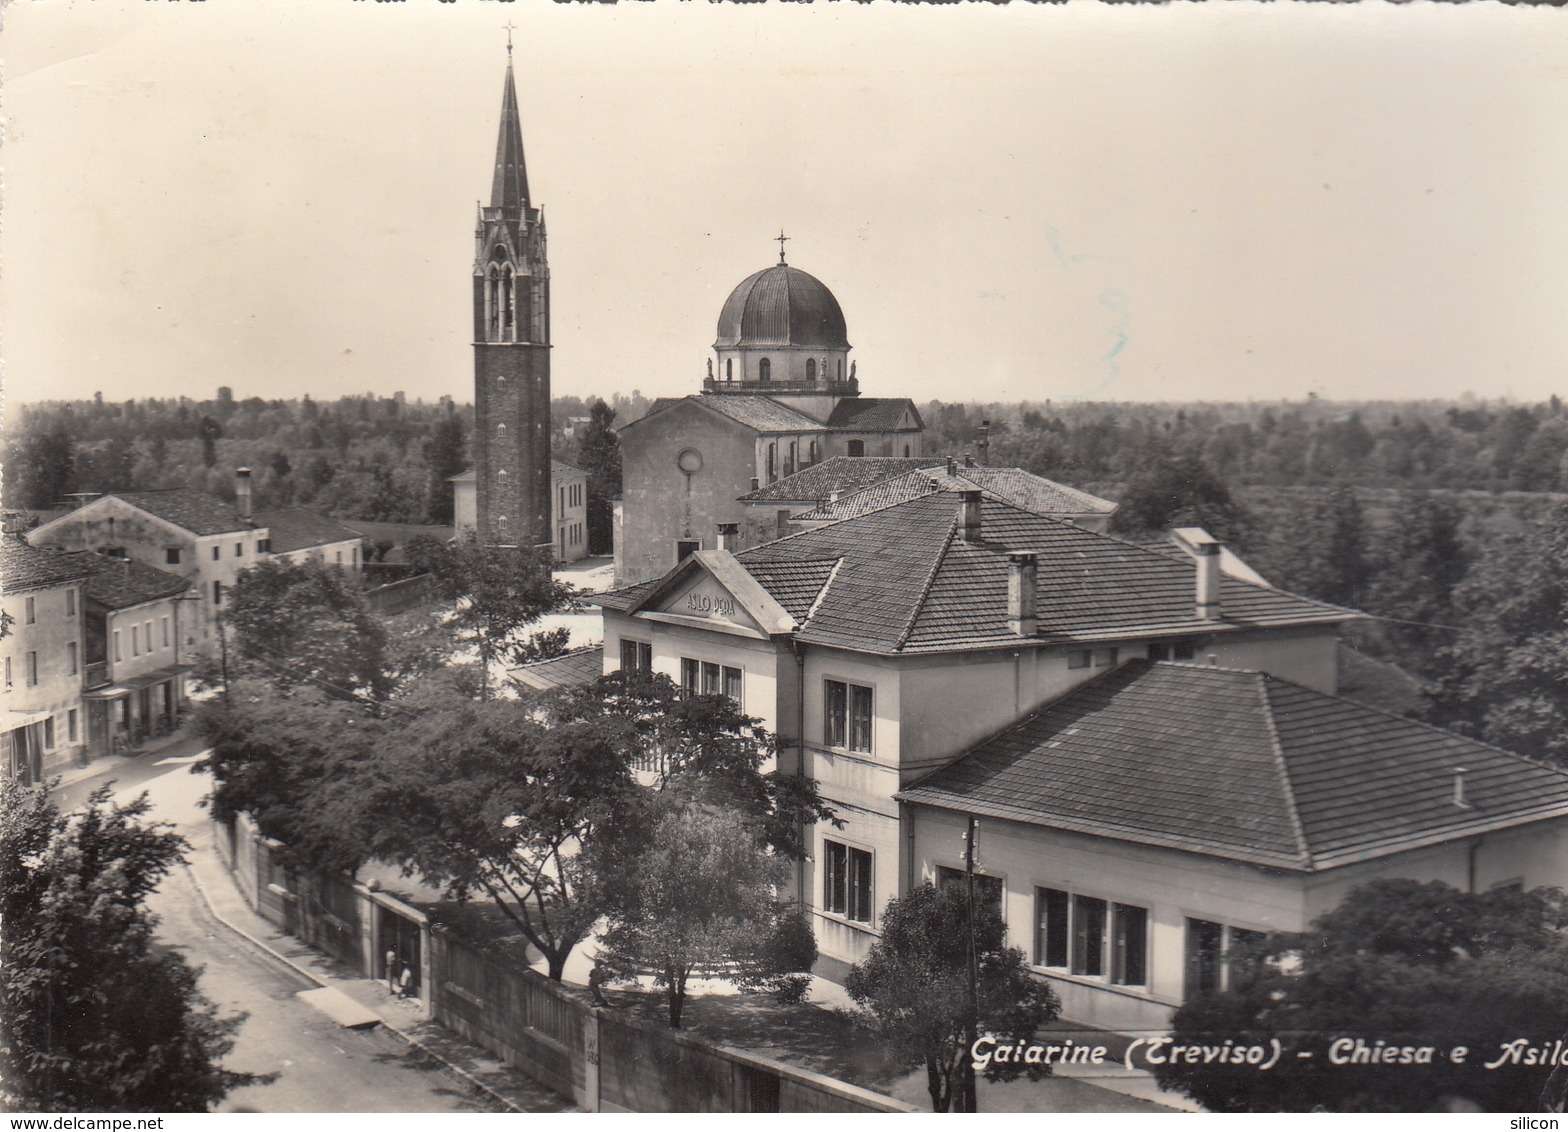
{"x":371,"y":459}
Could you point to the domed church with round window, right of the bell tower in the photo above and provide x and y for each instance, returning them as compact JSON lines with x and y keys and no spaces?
{"x":782,"y":396}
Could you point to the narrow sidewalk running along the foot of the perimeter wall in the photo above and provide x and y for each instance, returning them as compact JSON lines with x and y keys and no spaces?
{"x":506,"y":1087}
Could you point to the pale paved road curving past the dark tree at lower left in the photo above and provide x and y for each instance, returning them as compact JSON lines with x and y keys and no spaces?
{"x":322,"y":1067}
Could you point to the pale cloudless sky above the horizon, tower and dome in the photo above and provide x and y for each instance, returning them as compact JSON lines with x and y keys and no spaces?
{"x":1083,"y":201}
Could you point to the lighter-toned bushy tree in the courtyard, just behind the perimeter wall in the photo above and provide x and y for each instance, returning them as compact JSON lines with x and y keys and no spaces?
{"x":700,"y":901}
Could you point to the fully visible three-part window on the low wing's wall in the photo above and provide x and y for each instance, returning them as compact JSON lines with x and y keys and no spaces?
{"x":1092,"y":937}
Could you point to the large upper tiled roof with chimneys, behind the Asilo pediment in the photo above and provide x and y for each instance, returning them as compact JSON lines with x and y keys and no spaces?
{"x":907,"y":582}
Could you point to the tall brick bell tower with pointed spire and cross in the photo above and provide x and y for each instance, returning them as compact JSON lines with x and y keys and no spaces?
{"x":512,"y":350}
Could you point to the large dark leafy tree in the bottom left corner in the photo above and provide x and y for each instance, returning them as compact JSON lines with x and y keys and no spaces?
{"x":93,"y":1015}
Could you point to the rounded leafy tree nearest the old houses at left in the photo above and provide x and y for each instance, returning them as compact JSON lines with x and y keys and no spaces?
{"x":303,"y":623}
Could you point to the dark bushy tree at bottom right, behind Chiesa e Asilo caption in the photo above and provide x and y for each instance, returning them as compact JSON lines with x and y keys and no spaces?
{"x":1398,"y":965}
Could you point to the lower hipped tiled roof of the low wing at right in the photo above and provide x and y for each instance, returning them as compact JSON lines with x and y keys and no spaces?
{"x":1241,"y":766}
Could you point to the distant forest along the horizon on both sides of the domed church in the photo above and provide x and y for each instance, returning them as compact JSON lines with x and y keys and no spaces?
{"x":1443,"y":520}
